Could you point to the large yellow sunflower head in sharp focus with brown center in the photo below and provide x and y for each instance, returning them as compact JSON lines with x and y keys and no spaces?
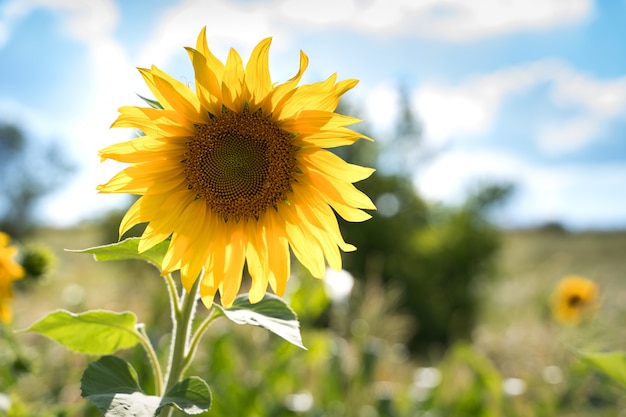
{"x":237,"y":172}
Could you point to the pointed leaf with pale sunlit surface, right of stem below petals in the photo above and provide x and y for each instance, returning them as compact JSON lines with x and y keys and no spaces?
{"x":271,"y":313}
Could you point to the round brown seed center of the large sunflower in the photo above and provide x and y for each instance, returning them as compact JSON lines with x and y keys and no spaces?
{"x":241,"y":164}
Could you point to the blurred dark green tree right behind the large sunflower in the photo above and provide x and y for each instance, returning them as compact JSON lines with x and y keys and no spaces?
{"x":436,"y":254}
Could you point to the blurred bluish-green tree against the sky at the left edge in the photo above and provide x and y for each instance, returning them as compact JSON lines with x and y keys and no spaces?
{"x":28,"y":172}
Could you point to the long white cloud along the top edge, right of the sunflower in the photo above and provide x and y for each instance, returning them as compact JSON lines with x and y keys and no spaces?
{"x":451,"y":20}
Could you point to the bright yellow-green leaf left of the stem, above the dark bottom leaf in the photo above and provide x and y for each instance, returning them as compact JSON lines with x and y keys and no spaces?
{"x":96,"y":332}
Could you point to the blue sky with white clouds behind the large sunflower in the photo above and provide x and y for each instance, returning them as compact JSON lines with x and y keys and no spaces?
{"x":527,"y":91}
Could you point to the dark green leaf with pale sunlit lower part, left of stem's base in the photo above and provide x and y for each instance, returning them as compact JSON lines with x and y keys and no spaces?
{"x":111,"y":384}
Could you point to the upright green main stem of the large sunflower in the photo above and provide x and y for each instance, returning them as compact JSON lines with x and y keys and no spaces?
{"x":182,"y":317}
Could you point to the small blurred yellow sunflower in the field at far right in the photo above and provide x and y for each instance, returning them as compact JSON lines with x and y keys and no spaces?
{"x":574,"y":298}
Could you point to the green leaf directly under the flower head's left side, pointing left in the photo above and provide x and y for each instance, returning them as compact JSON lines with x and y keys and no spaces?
{"x":128,"y":249}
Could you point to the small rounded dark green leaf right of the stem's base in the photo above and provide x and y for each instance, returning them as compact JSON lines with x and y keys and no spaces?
{"x":191,"y":396}
